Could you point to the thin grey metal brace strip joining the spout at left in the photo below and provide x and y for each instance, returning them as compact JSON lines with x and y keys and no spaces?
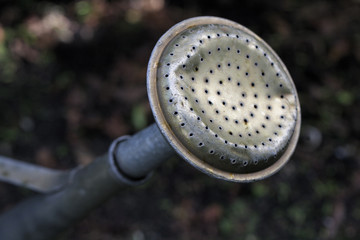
{"x":34,"y":177}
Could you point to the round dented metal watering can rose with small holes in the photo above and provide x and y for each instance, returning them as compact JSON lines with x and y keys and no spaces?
{"x":223,"y":99}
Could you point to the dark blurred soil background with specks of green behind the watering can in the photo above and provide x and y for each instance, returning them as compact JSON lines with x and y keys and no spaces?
{"x":73,"y":77}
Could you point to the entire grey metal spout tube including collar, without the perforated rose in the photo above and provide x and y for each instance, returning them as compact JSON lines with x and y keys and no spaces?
{"x":45,"y":216}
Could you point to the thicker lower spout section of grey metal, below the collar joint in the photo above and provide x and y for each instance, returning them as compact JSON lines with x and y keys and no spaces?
{"x":44,"y":216}
